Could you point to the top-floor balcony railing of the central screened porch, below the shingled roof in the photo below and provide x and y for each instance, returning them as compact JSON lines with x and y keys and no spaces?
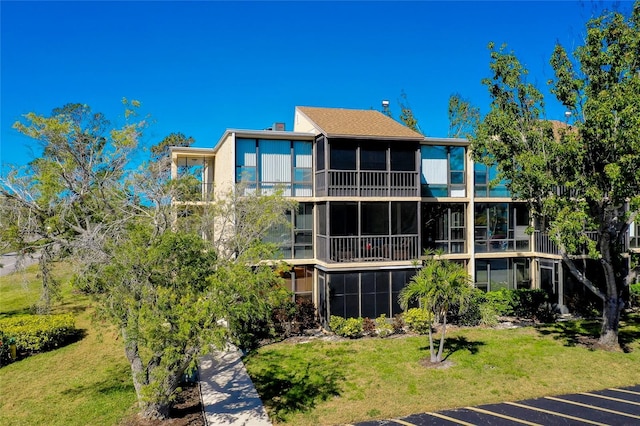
{"x":367,"y":183}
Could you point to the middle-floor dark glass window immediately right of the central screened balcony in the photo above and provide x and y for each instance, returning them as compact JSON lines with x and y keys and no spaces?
{"x":444,"y":227}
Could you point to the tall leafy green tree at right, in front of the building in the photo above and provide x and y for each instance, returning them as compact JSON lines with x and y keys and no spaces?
{"x":581,"y":179}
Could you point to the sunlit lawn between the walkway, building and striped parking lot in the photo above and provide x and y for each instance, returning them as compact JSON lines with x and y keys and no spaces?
{"x":337,"y":382}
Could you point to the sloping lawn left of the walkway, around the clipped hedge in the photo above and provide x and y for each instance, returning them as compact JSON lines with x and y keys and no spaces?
{"x":86,"y":382}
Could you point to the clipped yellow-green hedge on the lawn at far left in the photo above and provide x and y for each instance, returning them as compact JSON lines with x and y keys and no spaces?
{"x":36,"y":333}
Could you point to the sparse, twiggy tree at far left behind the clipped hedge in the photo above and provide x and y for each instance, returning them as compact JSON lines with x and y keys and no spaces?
{"x":69,"y":198}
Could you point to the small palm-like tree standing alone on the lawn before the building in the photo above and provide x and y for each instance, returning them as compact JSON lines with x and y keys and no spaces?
{"x":438,"y":286}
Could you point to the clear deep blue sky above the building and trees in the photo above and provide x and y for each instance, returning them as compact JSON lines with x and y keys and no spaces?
{"x":202,"y":67}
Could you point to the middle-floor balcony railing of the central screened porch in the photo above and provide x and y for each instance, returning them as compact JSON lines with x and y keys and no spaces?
{"x":368,"y":248}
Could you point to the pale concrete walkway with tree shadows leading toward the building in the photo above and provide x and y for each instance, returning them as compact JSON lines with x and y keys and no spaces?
{"x":228,"y":394}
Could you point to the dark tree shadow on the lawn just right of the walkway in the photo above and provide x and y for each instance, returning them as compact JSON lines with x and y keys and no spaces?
{"x":286,"y":388}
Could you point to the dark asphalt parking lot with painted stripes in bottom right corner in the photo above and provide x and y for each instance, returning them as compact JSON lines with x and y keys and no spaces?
{"x":606,"y":407}
